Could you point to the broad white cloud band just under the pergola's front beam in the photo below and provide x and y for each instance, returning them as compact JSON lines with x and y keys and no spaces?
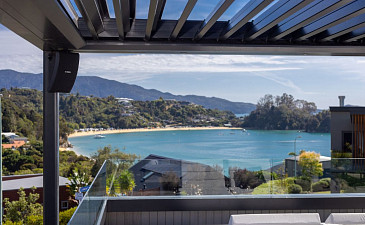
{"x":137,"y":67}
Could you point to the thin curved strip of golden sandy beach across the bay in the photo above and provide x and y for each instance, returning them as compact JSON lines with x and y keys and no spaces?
{"x":118,"y":131}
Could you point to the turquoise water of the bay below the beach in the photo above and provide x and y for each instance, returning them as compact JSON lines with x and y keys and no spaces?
{"x":253,"y":149}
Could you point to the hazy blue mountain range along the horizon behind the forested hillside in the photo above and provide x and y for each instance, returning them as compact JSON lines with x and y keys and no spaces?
{"x":100,"y":87}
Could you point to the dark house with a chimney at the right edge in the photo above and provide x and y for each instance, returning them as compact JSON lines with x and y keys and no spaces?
{"x":348,"y":148}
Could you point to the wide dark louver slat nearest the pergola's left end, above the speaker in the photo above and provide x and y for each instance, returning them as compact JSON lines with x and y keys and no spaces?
{"x":91,"y":14}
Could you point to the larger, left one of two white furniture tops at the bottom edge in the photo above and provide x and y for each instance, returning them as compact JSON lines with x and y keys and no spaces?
{"x":277,"y":219}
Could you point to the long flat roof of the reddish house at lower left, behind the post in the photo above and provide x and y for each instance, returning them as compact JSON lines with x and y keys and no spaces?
{"x":28,"y":183}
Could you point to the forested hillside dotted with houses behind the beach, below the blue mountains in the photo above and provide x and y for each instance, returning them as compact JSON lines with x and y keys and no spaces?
{"x":22,"y":113}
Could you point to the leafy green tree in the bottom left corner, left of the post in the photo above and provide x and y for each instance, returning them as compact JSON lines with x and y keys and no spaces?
{"x":19,"y":211}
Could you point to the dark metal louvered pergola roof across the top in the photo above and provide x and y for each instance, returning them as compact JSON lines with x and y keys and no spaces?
{"x":287,"y":27}
